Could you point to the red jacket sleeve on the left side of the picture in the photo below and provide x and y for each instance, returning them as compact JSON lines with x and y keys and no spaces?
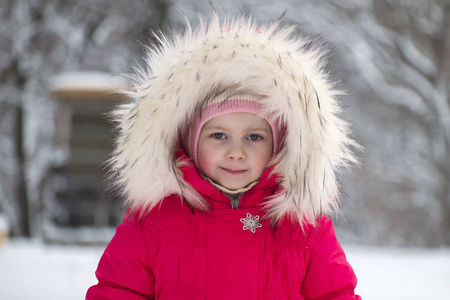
{"x":125,"y":270}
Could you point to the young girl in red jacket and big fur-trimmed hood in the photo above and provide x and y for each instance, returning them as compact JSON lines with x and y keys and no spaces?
{"x":227,"y":157}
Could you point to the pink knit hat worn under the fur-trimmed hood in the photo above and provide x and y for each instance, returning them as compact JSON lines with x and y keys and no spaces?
{"x":236,"y":104}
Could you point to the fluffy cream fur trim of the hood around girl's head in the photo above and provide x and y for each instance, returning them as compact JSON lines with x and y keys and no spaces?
{"x":186,"y":71}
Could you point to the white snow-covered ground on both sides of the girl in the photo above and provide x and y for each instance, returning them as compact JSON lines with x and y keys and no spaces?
{"x":32,"y":270}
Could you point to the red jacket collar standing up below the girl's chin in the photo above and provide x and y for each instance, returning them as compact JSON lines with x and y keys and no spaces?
{"x":253,"y":198}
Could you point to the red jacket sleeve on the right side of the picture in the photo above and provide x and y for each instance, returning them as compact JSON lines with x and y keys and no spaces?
{"x":329,"y":276}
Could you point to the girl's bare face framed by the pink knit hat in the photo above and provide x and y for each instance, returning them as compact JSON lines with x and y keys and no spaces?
{"x":234,"y":149}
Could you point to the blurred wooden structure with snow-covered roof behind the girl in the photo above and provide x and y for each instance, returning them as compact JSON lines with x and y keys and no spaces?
{"x":79,"y":207}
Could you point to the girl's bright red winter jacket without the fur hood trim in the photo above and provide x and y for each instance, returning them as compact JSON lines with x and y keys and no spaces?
{"x":175,"y":252}
